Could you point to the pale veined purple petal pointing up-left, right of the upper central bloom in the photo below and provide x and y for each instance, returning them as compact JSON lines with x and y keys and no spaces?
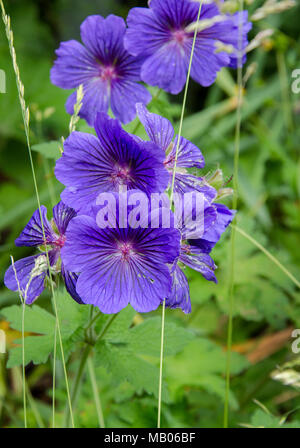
{"x":159,"y":129}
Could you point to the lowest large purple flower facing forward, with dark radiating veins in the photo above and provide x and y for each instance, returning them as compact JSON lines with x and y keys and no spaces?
{"x":120,"y":265}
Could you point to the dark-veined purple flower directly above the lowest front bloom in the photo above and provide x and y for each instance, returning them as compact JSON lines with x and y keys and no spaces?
{"x":91,"y":165}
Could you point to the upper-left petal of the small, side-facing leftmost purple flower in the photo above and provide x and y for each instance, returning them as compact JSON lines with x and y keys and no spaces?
{"x":32,"y":235}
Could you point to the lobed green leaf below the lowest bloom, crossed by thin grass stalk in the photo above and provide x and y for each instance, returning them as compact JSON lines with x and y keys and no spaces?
{"x":126,"y":351}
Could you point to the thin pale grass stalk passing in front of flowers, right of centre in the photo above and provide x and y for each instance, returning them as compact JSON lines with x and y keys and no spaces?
{"x":171,"y":200}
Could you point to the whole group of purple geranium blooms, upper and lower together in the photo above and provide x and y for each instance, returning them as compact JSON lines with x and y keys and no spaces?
{"x":112,"y":266}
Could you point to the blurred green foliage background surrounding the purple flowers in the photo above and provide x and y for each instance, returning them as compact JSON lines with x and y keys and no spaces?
{"x":267,"y":304}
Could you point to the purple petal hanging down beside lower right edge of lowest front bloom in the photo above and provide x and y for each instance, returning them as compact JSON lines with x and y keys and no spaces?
{"x":180,"y":294}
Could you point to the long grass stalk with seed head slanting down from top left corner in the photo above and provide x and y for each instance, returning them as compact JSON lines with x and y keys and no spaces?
{"x":25,"y":116}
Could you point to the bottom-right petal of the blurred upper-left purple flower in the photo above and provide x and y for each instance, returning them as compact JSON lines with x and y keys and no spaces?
{"x":124,"y":96}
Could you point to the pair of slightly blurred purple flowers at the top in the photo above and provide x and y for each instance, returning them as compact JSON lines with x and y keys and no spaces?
{"x":155,"y":49}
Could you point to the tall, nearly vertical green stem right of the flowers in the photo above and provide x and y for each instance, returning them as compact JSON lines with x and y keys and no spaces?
{"x":234,"y":206}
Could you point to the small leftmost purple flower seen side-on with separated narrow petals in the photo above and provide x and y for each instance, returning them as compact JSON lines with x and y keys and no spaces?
{"x":29,"y":273}
